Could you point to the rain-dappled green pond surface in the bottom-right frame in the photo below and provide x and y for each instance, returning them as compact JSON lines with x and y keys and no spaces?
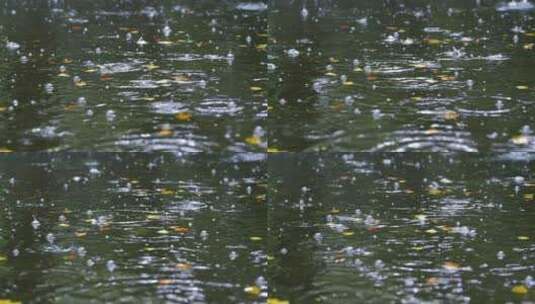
{"x":401,"y":228}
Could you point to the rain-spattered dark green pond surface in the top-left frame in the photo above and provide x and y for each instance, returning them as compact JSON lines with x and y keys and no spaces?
{"x":132,"y":75}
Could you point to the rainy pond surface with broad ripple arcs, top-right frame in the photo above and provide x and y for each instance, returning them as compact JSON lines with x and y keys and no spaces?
{"x":357,"y":75}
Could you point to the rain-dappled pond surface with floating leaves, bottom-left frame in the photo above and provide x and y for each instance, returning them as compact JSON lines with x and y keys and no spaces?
{"x":126,"y":228}
